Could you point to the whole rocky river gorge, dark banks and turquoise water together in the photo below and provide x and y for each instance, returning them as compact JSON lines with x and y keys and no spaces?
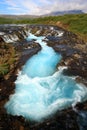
{"x":51,"y":82}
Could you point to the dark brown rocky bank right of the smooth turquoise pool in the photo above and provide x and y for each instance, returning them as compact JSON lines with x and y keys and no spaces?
{"x":74,"y":54}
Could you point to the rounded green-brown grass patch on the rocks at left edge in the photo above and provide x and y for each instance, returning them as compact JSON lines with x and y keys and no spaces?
{"x":7,"y":58}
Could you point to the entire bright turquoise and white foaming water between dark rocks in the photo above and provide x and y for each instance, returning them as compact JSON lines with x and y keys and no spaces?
{"x":41,"y":88}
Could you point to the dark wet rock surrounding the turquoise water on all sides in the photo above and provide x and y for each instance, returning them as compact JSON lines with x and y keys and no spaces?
{"x":74,"y":53}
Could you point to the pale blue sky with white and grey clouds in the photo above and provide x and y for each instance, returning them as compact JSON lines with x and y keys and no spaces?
{"x":40,"y":7}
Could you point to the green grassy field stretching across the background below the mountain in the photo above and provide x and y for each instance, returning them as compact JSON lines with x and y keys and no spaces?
{"x":76,"y":23}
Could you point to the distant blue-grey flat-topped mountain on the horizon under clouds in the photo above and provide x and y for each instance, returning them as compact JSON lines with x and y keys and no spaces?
{"x":64,"y":12}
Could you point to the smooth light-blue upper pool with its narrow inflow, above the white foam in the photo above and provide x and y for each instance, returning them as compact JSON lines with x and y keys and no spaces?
{"x":44,"y":63}
